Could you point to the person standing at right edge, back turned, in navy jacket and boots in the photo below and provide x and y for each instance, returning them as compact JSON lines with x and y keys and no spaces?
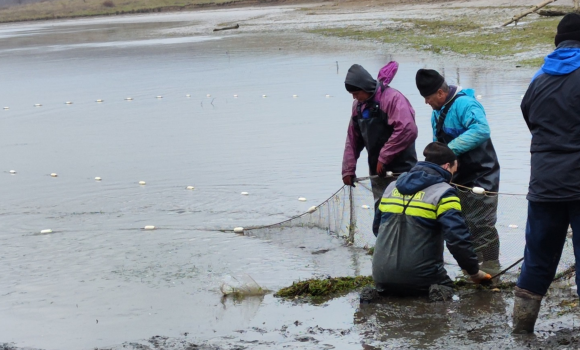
{"x":551,"y":109}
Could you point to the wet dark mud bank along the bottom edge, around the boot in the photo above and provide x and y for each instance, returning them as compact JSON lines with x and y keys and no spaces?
{"x":475,"y":319}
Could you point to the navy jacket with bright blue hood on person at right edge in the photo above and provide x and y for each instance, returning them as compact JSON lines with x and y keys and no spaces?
{"x":551,"y":108}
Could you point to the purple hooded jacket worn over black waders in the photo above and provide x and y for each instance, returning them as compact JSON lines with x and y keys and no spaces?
{"x":401,"y":116}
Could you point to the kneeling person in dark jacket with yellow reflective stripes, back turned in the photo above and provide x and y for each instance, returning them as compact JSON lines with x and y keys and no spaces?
{"x":416,"y":215}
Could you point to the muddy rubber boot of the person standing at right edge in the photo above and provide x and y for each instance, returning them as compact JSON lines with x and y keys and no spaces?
{"x":526,"y":309}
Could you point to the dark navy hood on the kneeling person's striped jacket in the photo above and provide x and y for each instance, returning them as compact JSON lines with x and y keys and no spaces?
{"x":421,"y":176}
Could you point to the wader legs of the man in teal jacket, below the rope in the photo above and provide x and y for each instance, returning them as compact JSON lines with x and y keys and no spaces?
{"x":481,"y":215}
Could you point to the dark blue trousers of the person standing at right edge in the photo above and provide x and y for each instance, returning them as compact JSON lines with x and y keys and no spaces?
{"x":546,"y":232}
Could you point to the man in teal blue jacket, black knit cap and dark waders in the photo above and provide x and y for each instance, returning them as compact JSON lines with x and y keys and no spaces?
{"x":459,"y":121}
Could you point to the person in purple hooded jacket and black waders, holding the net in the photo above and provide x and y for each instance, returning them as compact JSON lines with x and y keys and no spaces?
{"x":383,"y":122}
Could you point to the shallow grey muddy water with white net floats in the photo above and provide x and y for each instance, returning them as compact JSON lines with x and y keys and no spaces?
{"x":99,"y":279}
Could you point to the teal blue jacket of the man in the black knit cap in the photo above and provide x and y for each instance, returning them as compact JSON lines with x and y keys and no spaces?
{"x":465,"y":121}
